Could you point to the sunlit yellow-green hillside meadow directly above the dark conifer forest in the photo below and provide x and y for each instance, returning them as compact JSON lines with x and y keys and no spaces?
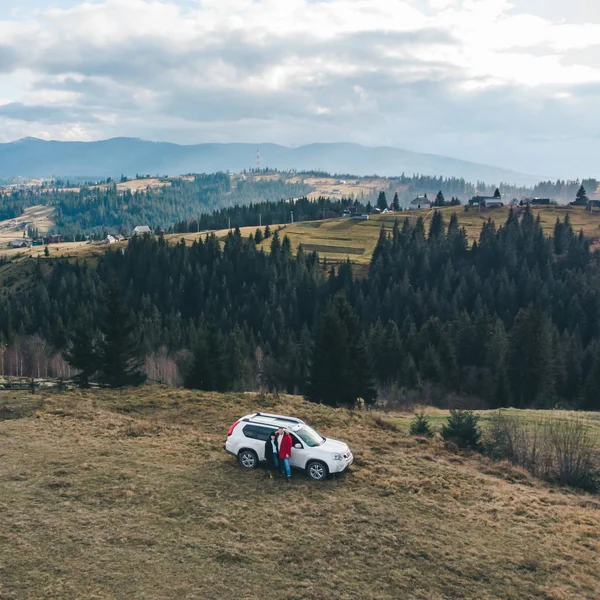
{"x":357,"y":239}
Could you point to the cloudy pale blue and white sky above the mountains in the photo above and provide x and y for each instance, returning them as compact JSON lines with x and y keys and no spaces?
{"x":514,"y":83}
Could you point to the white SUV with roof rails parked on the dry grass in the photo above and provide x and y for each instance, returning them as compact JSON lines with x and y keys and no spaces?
{"x":313,"y":453}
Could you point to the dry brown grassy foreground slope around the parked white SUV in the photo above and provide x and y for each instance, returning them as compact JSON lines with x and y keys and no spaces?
{"x":130,"y":495}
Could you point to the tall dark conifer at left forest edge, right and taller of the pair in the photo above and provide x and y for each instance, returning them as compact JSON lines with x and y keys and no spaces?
{"x":119,"y":363}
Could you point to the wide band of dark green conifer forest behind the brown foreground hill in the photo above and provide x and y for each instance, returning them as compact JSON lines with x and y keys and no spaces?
{"x":512,"y":320}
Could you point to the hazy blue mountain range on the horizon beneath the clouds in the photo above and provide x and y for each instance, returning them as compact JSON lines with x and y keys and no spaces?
{"x":32,"y":157}
